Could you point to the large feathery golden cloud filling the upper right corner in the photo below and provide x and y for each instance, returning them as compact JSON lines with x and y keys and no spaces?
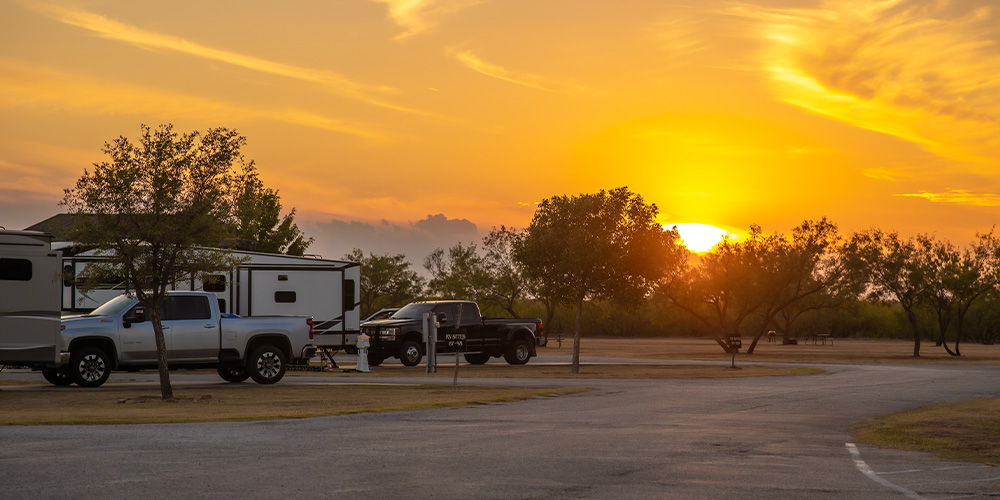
{"x":925,"y":71}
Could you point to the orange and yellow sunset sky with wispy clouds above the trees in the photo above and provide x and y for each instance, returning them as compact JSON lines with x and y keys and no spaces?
{"x":404,"y":125}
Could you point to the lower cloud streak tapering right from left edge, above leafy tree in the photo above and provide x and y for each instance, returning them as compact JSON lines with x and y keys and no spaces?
{"x":31,"y":86}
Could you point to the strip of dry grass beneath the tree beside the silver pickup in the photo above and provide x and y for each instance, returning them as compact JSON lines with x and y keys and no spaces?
{"x":240,"y":402}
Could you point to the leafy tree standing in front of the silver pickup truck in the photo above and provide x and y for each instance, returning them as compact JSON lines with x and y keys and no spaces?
{"x":151,"y":206}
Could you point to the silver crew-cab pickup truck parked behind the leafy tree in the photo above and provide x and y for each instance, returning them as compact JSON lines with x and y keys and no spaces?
{"x":119,"y":336}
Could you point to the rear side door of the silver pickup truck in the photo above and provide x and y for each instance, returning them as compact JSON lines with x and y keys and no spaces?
{"x":194,"y":333}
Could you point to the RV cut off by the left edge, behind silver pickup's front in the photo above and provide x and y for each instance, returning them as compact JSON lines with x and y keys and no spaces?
{"x":29,"y":298}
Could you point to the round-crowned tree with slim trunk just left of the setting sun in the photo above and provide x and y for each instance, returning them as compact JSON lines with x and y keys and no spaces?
{"x":601,"y":245}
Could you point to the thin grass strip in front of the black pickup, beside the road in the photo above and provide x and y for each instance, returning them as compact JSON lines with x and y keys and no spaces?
{"x":598,"y":371}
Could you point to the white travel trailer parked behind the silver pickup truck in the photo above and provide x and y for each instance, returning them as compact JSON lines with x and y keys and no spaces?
{"x":263,"y":285}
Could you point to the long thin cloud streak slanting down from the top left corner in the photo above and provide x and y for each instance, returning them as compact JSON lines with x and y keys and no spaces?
{"x":115,"y":30}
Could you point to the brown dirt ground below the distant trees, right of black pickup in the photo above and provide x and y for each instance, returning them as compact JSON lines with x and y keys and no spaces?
{"x":835,"y":351}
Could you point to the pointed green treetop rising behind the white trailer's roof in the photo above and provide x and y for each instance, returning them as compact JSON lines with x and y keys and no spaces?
{"x":258,"y":219}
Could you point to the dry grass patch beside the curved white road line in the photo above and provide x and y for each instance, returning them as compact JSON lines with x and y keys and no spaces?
{"x":968,"y":431}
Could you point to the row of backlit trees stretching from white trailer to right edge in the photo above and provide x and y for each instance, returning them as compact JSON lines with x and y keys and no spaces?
{"x":598,"y":264}
